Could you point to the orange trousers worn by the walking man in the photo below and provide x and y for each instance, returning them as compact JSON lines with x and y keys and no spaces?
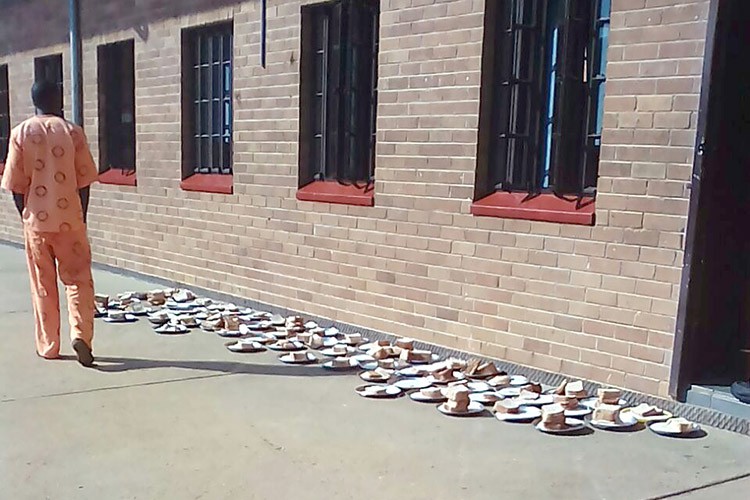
{"x":69,"y":254}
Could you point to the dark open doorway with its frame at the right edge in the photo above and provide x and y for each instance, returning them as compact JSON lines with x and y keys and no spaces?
{"x":713,"y":336}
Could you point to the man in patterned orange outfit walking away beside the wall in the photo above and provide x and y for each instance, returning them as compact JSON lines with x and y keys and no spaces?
{"x":49,"y":170}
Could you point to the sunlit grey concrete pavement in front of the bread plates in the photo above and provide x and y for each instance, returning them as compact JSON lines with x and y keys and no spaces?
{"x":183,"y":418}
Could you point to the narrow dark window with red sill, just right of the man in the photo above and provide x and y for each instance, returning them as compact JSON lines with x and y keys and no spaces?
{"x":117,"y":111}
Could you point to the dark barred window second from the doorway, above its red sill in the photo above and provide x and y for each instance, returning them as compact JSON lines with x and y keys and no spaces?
{"x":338,"y":91}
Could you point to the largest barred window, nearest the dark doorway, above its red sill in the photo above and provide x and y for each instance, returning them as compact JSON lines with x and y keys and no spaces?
{"x":543,"y":78}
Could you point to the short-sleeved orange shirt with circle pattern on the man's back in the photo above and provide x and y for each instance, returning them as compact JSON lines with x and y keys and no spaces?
{"x":48,"y":162}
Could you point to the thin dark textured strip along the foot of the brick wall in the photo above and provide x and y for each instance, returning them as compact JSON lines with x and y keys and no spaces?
{"x":702,"y":415}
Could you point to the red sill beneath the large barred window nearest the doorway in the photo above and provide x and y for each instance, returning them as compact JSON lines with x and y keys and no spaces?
{"x":544,"y":207}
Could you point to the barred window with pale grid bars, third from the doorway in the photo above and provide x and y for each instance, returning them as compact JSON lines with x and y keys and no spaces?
{"x":207,"y":100}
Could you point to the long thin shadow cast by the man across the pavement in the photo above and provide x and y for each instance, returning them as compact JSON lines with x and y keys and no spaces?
{"x":116,"y":365}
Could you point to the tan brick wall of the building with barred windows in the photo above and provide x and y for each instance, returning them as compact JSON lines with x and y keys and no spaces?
{"x":593,"y":302}
